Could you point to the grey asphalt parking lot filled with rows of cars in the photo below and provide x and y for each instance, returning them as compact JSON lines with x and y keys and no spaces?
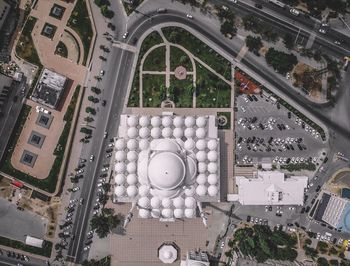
{"x":266,"y":132}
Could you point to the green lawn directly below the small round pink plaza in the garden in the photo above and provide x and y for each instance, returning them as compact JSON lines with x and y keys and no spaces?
{"x":182,"y":94}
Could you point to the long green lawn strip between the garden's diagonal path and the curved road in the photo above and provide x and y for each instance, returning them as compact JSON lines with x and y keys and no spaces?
{"x":199,"y":49}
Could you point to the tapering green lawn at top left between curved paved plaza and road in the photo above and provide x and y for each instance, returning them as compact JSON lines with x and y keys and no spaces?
{"x":80,"y":22}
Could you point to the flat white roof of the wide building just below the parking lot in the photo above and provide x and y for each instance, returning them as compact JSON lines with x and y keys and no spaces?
{"x":271,"y":188}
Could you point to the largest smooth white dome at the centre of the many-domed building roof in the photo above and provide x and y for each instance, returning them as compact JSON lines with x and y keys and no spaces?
{"x":166,"y":170}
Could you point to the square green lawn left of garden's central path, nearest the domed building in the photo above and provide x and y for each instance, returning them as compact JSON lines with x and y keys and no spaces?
{"x":153,"y":94}
